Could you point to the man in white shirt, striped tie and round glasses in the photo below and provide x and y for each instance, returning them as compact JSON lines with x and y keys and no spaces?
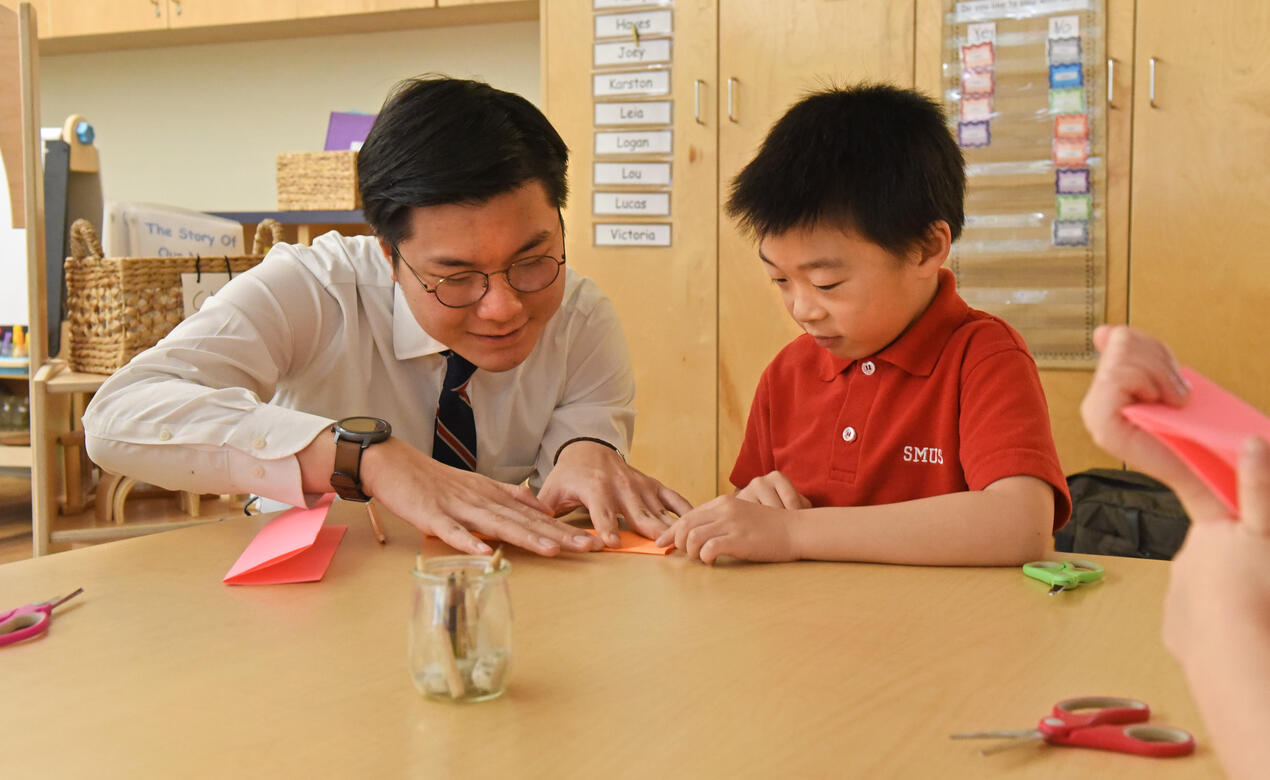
{"x":463,"y":284}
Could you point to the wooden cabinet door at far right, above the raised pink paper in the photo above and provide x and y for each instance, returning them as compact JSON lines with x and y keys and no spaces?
{"x":1201,"y":206}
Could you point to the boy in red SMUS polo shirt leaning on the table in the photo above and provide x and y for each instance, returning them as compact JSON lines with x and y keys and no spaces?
{"x":902,"y":426}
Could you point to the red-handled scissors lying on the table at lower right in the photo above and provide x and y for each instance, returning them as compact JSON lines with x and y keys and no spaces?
{"x":1097,"y":722}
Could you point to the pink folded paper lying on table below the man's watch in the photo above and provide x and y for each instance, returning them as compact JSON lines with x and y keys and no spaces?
{"x":294,"y":547}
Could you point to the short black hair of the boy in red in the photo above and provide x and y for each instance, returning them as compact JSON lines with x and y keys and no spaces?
{"x":874,"y":158}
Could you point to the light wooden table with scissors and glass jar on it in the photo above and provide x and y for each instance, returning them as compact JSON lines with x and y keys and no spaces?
{"x":627,"y":666}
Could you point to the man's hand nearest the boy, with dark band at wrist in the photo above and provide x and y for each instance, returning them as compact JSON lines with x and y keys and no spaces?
{"x":598,"y":478}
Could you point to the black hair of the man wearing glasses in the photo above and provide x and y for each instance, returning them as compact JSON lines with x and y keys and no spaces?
{"x":440,"y":140}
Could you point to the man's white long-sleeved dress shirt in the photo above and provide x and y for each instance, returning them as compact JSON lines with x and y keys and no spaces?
{"x":318,"y":333}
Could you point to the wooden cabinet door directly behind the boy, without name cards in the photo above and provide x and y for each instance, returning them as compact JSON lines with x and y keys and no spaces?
{"x":770,"y":54}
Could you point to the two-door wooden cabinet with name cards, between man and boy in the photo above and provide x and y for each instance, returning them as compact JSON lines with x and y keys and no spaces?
{"x":699,"y":316}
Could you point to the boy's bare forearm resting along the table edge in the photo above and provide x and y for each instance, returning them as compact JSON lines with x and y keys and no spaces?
{"x":976,"y":528}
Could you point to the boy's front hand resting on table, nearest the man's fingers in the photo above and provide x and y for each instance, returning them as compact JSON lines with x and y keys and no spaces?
{"x":732,"y":527}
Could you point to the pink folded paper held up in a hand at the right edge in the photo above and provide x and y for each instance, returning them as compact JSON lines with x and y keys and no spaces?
{"x":1207,"y":433}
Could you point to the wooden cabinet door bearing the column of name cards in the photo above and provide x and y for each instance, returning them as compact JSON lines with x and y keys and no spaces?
{"x":666,"y":297}
